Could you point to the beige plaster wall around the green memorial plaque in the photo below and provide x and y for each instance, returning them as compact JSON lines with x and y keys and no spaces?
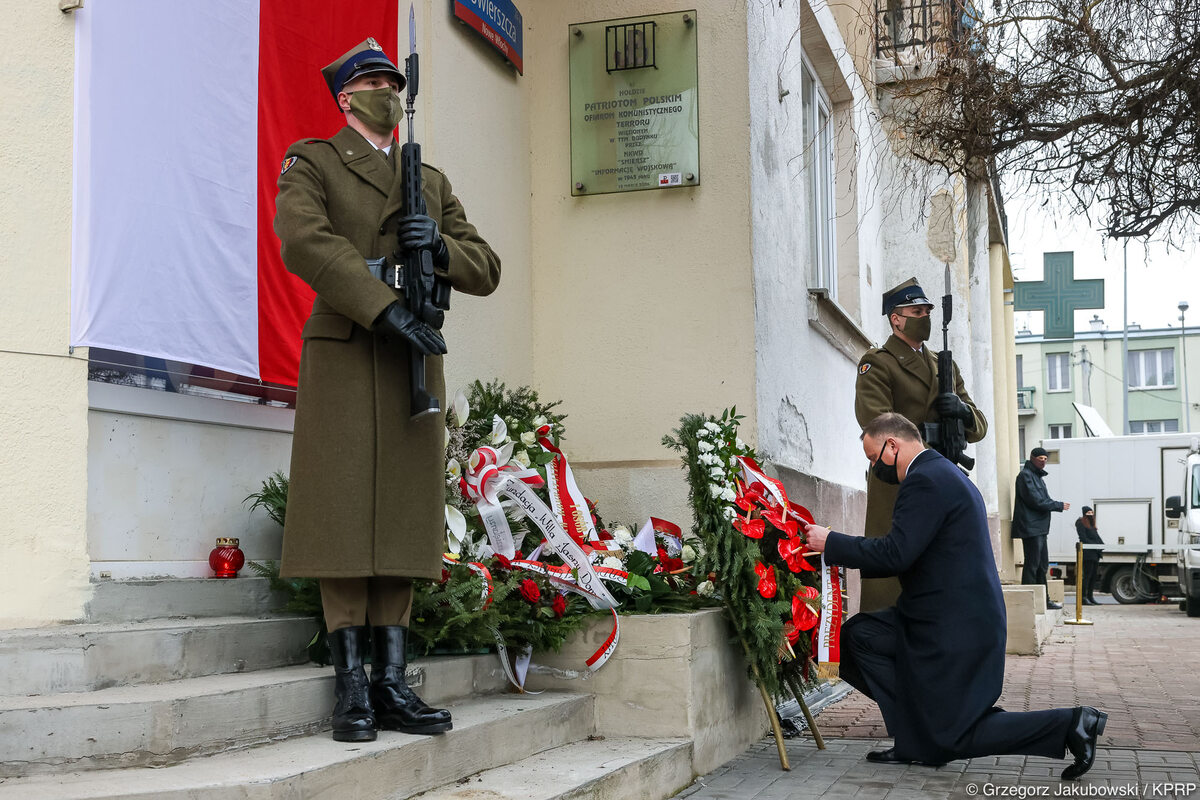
{"x":644,"y":302}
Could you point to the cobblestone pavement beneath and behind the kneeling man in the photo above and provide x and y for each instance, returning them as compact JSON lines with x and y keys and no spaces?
{"x":1141,"y":664}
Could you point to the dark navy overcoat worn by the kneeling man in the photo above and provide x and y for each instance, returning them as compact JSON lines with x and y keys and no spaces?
{"x":952,"y":624}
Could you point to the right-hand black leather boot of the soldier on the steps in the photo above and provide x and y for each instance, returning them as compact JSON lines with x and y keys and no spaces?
{"x":398,"y":707}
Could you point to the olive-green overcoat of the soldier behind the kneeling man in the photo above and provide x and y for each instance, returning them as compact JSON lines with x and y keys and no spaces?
{"x":897,"y":378}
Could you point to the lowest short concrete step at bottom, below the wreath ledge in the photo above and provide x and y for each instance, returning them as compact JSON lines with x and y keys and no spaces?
{"x":646,"y":769}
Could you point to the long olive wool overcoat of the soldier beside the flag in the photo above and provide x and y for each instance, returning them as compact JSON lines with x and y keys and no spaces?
{"x":367,"y":495}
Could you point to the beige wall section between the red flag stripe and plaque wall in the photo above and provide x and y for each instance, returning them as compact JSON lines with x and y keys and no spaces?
{"x":476,"y":117}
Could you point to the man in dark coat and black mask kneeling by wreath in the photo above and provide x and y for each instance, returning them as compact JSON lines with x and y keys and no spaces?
{"x":935,"y":663}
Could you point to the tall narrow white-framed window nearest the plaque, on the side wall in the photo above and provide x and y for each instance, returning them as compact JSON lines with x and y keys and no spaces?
{"x":820,"y":171}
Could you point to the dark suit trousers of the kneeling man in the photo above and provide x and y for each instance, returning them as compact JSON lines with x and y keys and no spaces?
{"x":869,"y":664}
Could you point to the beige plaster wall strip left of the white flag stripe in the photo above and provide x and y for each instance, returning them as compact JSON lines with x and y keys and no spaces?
{"x":44,"y":401}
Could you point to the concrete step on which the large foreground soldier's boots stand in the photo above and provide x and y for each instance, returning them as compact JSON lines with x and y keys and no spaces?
{"x":286,"y":769}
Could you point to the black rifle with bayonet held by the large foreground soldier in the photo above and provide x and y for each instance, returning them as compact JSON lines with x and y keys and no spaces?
{"x":427,"y":294}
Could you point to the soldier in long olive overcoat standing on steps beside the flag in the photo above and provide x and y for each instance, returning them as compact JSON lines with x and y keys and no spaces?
{"x":367,"y":496}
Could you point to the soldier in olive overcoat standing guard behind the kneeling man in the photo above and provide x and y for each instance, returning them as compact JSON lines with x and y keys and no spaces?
{"x":902,"y":377}
